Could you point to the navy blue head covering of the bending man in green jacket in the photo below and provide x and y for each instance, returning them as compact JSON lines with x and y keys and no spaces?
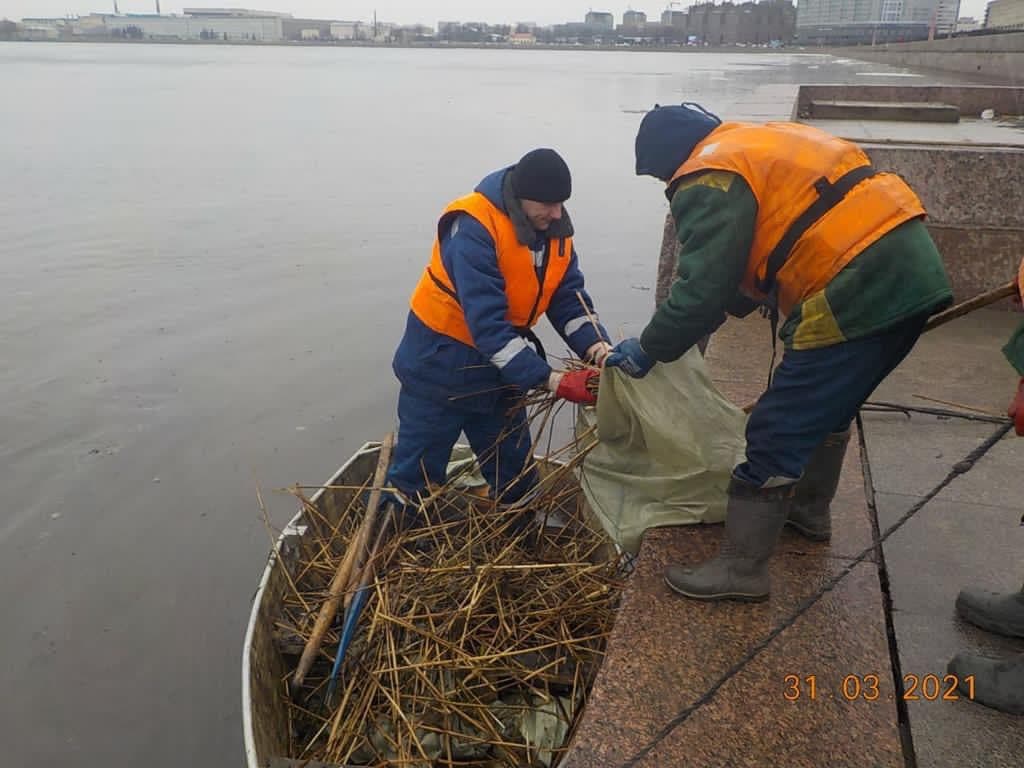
{"x":668,"y":136}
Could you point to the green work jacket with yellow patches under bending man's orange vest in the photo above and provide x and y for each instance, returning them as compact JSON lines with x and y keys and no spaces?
{"x":899,"y":277}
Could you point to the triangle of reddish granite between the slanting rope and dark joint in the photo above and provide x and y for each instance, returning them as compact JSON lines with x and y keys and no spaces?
{"x":751,"y":721}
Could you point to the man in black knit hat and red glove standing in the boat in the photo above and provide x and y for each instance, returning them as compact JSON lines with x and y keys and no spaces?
{"x":503,"y":258}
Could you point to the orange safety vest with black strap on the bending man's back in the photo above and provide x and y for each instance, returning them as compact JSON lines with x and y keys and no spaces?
{"x":820,"y":203}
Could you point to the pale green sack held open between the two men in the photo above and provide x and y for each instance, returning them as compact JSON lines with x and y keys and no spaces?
{"x":668,"y":444}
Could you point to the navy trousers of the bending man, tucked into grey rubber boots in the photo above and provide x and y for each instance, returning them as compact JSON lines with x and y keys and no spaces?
{"x":814,"y":394}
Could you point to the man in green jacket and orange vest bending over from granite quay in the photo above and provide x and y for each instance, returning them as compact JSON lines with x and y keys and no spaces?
{"x":798,"y":222}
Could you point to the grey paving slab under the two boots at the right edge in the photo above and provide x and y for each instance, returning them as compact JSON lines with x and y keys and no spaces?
{"x":947,"y":546}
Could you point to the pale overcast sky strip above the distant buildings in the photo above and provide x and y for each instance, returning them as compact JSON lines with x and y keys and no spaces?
{"x":404,"y":12}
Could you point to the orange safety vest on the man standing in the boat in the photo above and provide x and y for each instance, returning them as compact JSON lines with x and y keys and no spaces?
{"x":435,"y":301}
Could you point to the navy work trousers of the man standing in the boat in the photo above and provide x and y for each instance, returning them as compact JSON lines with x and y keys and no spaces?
{"x":429,"y":431}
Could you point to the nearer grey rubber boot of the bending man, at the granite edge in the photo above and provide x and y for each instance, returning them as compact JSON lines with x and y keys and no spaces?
{"x":754,"y":520}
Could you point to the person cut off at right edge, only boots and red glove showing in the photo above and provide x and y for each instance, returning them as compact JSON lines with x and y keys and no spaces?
{"x":998,"y":684}
